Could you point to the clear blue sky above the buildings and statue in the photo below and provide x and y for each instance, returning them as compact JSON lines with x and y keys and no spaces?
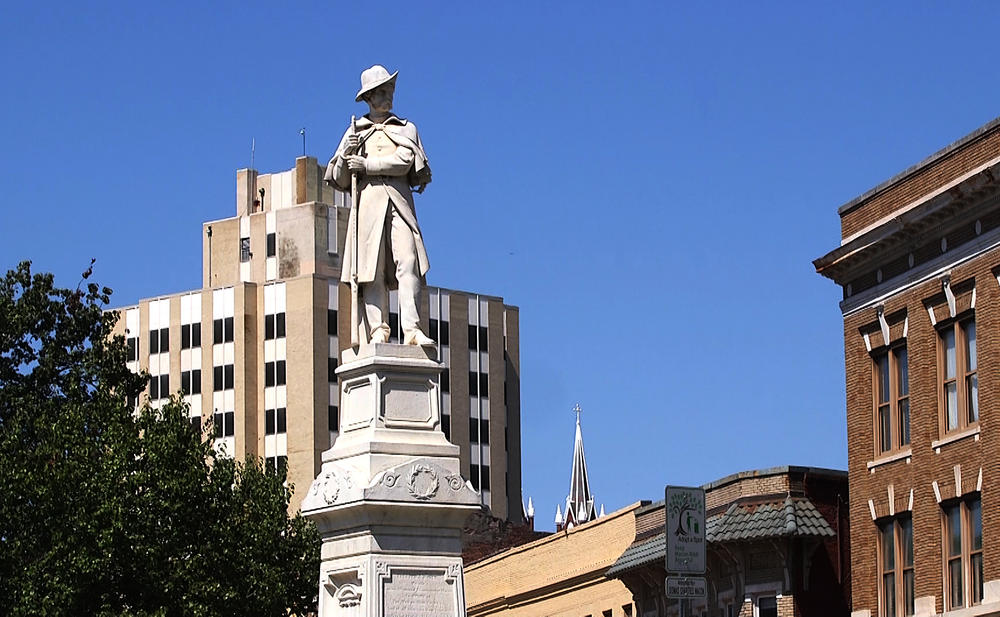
{"x":648,"y":182}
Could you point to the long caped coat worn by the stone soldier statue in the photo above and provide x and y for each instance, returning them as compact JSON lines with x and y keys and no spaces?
{"x":387,"y":182}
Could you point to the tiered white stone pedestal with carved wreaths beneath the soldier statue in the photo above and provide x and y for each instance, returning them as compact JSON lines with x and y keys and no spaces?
{"x":390,"y":500}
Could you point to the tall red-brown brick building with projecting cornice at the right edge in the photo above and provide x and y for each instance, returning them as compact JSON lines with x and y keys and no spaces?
{"x":918,"y":262}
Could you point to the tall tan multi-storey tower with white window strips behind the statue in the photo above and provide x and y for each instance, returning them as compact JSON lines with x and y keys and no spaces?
{"x":255,"y":348}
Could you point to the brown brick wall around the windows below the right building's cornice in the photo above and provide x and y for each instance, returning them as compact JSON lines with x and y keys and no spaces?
{"x":925,"y":464}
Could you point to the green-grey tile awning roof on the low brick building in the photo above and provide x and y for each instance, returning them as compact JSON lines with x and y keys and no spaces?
{"x":744,"y":522}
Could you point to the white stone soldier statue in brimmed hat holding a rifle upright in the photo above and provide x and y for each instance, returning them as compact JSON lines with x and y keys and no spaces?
{"x":384,"y":243}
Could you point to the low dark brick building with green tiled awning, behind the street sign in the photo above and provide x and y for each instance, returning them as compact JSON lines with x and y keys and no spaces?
{"x":777,"y":546}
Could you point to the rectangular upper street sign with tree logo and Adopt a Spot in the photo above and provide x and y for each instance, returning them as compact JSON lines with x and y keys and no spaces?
{"x":685,"y":529}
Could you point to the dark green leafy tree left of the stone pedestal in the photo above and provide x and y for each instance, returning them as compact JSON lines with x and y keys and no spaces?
{"x":108,"y":511}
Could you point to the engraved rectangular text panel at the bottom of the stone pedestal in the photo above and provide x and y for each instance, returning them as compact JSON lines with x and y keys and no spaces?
{"x":408,"y":593}
